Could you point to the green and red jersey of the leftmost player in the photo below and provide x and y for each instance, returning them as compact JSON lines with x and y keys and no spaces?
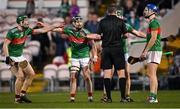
{"x":17,"y":38}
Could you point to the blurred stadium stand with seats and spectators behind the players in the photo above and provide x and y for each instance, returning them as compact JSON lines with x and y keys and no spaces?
{"x":49,"y":54}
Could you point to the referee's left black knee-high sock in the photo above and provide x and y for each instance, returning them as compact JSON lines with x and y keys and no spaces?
{"x":107,"y":84}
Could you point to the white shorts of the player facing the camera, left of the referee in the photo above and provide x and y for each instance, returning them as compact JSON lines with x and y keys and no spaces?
{"x":79,"y":62}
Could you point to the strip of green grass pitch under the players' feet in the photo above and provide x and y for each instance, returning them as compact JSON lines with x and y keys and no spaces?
{"x":167,"y":99}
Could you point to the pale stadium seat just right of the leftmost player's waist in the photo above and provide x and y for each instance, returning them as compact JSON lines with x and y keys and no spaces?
{"x":34,"y":47}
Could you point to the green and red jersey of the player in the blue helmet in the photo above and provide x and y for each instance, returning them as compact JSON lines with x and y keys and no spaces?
{"x":154,"y":25}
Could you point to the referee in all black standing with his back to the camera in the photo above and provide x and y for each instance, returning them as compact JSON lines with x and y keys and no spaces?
{"x":112,"y":29}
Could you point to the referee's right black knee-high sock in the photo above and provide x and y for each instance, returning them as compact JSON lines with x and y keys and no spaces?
{"x":122,"y":86}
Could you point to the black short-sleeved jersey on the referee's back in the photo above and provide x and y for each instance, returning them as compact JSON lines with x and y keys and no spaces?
{"x":111,"y":28}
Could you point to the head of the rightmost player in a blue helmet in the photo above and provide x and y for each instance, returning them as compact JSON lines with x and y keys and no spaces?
{"x":149,"y":10}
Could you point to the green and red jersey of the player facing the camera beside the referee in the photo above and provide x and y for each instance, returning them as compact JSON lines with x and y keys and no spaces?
{"x":79,"y":44}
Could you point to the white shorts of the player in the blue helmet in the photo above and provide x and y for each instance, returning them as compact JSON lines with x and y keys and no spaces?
{"x":154,"y":56}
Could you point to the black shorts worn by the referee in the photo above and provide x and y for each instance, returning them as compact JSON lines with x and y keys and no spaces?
{"x":112,"y":56}
